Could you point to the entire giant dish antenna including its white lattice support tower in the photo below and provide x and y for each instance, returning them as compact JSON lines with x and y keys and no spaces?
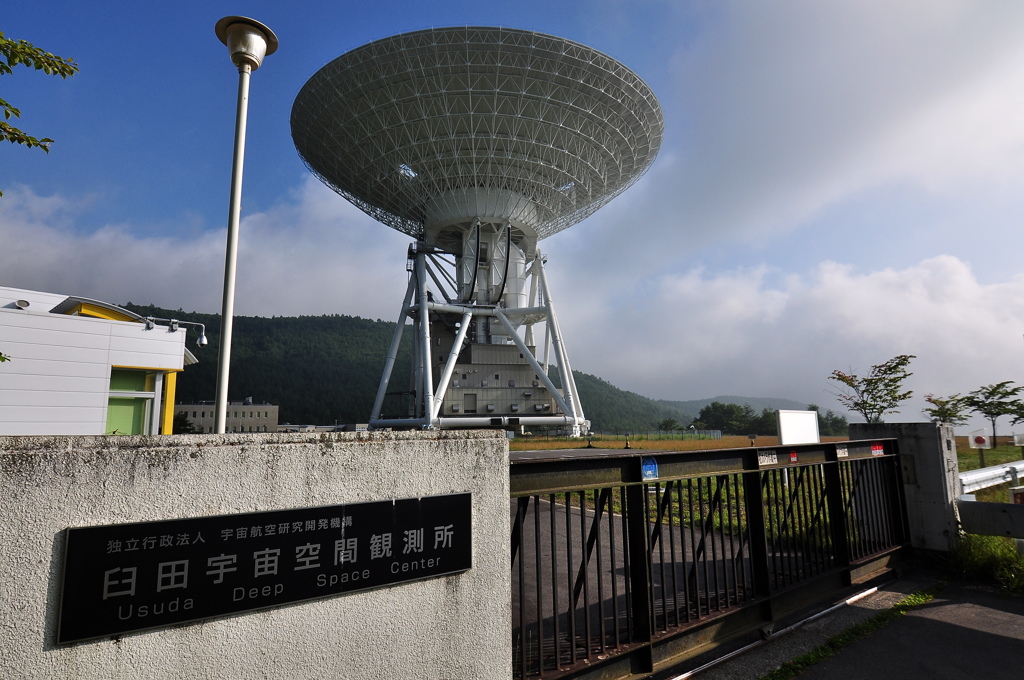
{"x":479,"y":143}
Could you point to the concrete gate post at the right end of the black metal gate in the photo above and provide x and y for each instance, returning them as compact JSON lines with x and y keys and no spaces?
{"x":931,"y":479}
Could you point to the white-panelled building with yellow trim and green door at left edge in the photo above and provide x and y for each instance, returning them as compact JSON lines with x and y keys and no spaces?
{"x":83,"y":367}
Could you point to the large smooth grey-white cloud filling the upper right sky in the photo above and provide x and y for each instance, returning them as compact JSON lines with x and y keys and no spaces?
{"x":778,"y":111}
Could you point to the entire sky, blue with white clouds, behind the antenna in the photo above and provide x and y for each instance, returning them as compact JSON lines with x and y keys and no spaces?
{"x":840,"y":183}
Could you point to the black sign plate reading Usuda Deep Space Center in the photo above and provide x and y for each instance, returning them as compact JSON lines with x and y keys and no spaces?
{"x":125,"y":578}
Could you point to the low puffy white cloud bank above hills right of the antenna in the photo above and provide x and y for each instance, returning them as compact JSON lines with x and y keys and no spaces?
{"x":749,"y":332}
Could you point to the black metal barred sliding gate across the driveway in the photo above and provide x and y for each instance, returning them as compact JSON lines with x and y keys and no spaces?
{"x":625,"y":564}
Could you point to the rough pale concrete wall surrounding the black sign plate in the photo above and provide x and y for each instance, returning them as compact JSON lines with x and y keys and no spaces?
{"x":449,"y":627}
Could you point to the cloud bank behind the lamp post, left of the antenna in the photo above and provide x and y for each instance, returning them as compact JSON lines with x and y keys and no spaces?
{"x":312,"y":253}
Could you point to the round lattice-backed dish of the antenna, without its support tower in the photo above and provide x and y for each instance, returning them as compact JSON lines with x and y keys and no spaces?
{"x":412,"y":129}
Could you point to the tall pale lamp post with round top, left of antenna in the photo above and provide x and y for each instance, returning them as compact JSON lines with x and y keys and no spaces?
{"x":248,"y":42}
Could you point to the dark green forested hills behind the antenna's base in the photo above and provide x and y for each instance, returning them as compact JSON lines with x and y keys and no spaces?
{"x":325,"y":369}
